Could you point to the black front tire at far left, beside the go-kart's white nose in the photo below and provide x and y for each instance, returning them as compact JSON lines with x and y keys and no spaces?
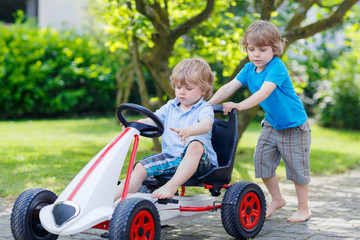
{"x":25,"y":221}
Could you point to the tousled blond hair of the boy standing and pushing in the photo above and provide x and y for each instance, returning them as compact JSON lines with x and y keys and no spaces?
{"x":264,"y":33}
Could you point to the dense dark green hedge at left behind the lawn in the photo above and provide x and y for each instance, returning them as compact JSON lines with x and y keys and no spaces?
{"x":46,"y":73}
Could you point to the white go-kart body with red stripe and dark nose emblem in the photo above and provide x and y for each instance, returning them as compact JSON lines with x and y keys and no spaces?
{"x":89,"y":198}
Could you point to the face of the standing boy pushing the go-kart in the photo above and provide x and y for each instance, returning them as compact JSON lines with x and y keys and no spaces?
{"x":260,"y":56}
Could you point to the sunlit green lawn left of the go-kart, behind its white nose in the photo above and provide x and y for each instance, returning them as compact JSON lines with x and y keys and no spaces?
{"x":49,"y":153}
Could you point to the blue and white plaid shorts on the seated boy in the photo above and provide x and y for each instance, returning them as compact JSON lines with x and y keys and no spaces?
{"x":165,"y":164}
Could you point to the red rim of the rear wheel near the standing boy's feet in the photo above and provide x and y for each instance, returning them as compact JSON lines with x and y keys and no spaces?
{"x":250,"y":210}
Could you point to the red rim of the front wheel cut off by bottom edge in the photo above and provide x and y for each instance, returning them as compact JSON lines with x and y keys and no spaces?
{"x":142,"y":226}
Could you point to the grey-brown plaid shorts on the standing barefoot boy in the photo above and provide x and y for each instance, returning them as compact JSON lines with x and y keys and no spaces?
{"x":291,"y":144}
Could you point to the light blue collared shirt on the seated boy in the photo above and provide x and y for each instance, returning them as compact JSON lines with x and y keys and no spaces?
{"x":172,"y":117}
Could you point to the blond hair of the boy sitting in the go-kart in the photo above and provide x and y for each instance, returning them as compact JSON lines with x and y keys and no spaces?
{"x":196,"y":71}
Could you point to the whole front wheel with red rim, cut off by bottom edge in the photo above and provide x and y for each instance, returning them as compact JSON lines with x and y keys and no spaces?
{"x":131,"y":216}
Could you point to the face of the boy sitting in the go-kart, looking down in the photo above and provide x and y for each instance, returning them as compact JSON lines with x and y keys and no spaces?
{"x":188,"y":94}
